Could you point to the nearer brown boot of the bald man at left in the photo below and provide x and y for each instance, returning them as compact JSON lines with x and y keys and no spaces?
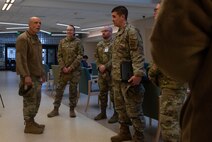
{"x":30,"y":127}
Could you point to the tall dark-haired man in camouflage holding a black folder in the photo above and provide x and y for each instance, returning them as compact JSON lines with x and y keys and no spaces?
{"x":128,"y":95}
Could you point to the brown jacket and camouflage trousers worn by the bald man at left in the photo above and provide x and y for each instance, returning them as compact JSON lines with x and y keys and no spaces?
{"x":29,"y":63}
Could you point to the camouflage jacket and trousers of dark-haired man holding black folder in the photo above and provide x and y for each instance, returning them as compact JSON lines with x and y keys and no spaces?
{"x":128,"y":99}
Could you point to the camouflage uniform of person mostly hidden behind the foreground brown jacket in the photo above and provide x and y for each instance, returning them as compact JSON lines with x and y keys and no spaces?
{"x":173,"y":94}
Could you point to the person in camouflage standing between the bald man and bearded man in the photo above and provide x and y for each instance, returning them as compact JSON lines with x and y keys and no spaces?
{"x":70,"y":52}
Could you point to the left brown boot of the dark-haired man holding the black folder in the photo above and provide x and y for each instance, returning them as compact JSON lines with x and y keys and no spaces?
{"x":123,"y":135}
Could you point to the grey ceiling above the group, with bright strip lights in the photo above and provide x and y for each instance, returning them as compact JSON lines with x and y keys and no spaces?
{"x":82,"y":13}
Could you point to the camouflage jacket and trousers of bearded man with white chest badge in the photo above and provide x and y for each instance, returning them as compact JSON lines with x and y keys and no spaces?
{"x":102,"y":57}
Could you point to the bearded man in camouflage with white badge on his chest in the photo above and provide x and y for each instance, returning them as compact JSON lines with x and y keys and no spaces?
{"x":103,"y":56}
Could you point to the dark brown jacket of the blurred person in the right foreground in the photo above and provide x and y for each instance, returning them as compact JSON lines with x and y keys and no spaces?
{"x":182,"y":48}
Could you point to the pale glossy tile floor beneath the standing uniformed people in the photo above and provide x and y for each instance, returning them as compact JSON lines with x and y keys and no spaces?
{"x":58,"y":129}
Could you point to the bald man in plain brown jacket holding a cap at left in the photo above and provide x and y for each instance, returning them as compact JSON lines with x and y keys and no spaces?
{"x":29,"y":67}
